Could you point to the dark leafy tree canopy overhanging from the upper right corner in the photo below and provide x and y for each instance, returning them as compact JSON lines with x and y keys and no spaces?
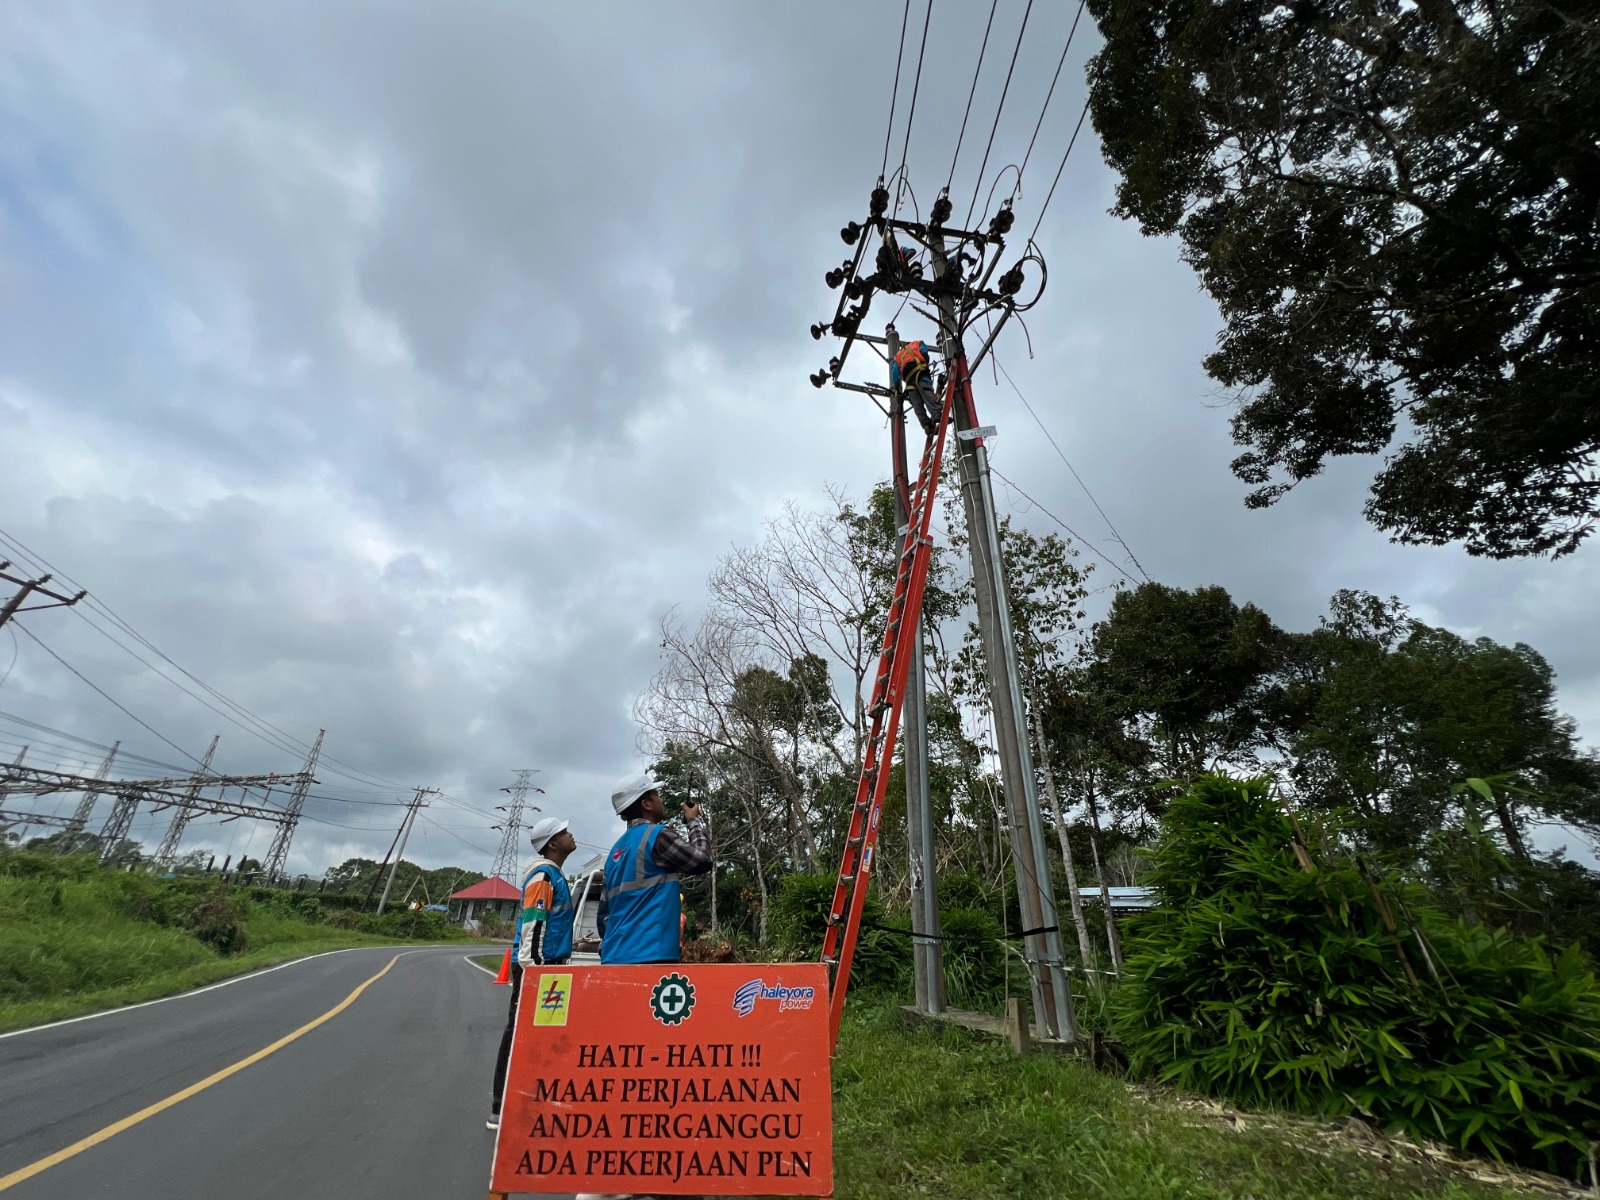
{"x":1398,"y":210}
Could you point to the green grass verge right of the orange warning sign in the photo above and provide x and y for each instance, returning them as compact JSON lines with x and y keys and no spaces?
{"x":948,"y":1114}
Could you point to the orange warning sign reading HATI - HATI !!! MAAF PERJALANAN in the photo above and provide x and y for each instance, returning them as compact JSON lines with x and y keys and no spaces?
{"x":676,"y":1079}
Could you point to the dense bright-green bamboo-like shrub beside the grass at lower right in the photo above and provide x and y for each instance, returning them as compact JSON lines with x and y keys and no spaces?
{"x":1295,"y":980}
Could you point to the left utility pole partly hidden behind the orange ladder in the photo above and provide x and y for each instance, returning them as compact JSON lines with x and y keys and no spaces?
{"x":927,"y":951}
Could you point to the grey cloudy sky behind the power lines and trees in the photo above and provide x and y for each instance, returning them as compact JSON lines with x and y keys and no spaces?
{"x":393,"y":369}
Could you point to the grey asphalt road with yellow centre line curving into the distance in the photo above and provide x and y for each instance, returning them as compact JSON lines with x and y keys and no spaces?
{"x":386,"y":1098}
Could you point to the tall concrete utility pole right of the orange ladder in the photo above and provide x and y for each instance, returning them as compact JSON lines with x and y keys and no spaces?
{"x":1042,"y":940}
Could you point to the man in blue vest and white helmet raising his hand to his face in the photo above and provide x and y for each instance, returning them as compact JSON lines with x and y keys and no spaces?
{"x":642,"y":902}
